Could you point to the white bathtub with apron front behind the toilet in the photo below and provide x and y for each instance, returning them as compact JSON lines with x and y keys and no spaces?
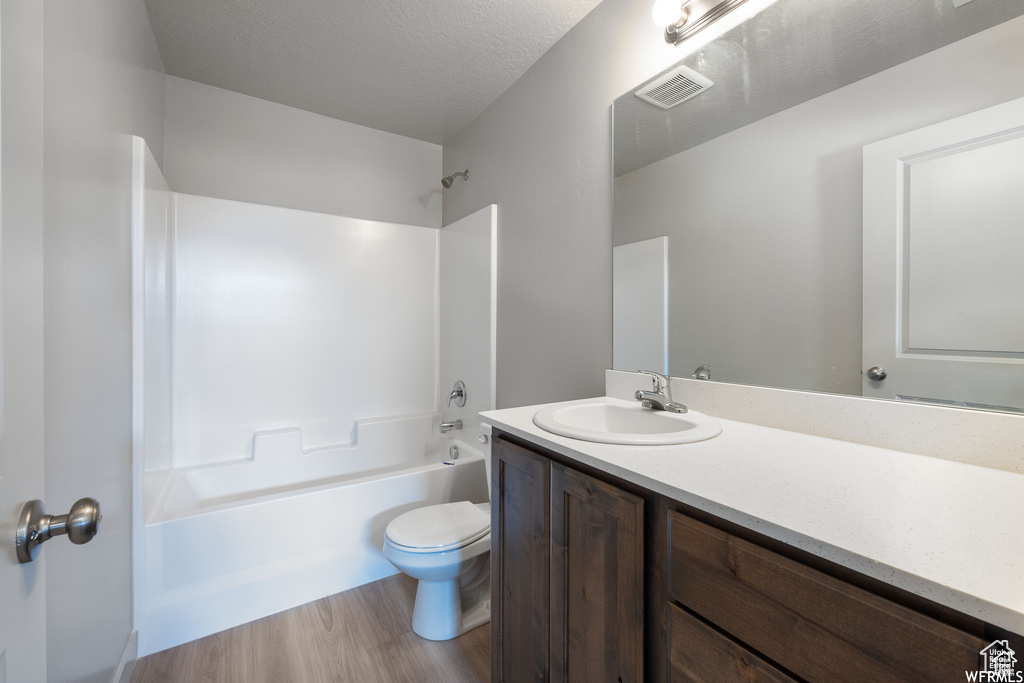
{"x":230,"y":543}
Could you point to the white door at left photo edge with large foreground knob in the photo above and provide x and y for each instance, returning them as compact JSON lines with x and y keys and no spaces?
{"x":23,"y":615}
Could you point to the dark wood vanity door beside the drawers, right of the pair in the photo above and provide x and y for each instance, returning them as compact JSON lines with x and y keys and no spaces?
{"x":596,"y":581}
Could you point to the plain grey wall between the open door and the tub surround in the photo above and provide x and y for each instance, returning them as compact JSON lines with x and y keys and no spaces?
{"x":103,"y":81}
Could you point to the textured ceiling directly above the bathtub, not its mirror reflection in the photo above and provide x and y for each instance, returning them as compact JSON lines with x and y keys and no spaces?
{"x":418,"y":68}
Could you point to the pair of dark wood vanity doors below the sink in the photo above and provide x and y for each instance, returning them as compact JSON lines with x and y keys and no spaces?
{"x":567,"y":574}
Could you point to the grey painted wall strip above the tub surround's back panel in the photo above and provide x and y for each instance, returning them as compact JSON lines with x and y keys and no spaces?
{"x":226,"y":145}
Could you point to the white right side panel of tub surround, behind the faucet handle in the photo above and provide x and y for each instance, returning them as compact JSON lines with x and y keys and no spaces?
{"x":468,"y":316}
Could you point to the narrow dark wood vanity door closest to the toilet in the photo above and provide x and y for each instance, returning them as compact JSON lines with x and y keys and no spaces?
{"x":520,"y":565}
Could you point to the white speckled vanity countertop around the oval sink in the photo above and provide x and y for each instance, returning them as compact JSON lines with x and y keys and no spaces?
{"x":946,"y":531}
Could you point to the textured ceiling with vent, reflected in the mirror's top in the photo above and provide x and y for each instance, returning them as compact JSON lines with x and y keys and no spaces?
{"x":789,"y":54}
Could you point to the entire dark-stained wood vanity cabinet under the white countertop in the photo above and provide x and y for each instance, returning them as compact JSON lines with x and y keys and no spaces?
{"x":600,"y":580}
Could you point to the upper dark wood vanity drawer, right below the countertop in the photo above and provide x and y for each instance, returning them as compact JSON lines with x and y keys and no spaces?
{"x":816,"y":626}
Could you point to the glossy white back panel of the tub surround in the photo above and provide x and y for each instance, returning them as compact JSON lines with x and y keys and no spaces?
{"x":293,"y":319}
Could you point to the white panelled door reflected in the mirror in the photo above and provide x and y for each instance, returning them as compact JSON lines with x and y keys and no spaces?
{"x":945,"y":262}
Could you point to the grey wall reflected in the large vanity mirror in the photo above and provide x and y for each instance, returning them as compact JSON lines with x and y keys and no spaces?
{"x":765,"y":257}
